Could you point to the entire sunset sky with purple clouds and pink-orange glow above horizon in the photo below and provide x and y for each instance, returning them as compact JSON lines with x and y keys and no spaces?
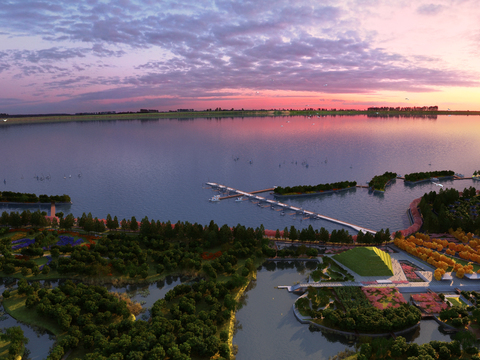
{"x":72,"y":56}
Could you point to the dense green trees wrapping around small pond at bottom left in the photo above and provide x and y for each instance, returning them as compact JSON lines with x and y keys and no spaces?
{"x":186,"y":323}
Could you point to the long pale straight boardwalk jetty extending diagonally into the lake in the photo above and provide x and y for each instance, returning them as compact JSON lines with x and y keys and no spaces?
{"x":274,"y":203}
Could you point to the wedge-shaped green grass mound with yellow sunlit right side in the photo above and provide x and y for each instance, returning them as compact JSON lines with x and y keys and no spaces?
{"x":366,"y":261}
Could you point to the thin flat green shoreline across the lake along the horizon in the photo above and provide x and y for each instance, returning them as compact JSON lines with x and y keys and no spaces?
{"x":218,"y":114}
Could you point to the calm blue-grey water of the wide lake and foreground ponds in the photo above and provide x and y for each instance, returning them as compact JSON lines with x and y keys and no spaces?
{"x":158,"y":168}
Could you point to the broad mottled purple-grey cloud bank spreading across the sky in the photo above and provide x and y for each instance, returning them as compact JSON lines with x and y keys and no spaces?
{"x":197,"y":50}
